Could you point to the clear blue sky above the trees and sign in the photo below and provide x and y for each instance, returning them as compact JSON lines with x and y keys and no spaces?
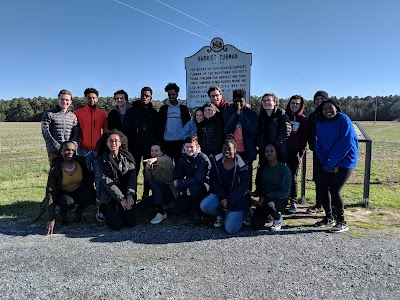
{"x":347,"y":48}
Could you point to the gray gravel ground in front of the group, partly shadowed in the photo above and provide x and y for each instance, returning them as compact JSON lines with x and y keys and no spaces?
{"x":177,"y":261}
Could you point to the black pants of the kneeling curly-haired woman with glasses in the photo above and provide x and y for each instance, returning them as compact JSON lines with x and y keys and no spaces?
{"x":116,"y":216}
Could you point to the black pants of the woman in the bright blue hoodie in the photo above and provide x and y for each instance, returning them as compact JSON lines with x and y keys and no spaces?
{"x":331,"y":184}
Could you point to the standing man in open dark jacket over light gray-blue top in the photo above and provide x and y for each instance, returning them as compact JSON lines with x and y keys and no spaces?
{"x":173,"y":115}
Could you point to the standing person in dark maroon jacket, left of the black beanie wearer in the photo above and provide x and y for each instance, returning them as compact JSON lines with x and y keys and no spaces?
{"x":296,"y":143}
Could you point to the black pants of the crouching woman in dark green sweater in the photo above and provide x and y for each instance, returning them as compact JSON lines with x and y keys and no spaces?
{"x":270,"y":207}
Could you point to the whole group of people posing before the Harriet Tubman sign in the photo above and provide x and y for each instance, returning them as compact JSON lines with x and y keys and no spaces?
{"x":195,"y":166}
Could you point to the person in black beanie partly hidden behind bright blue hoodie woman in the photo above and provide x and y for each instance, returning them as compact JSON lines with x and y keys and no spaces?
{"x":312,"y":133}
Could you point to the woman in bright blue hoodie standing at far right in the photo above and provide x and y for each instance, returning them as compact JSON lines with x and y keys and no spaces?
{"x":337,"y":150}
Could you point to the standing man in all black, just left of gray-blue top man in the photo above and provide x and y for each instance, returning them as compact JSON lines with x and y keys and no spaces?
{"x":141,"y":126}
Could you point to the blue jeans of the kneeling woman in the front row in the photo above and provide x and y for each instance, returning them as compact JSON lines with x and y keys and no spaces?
{"x":233,"y":220}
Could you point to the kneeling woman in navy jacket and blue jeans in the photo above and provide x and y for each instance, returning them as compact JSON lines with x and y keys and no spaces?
{"x":229,"y":180}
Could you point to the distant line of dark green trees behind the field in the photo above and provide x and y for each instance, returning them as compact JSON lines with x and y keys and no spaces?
{"x":358,"y":109}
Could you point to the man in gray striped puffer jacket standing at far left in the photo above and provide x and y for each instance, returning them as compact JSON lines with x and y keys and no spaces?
{"x":59,"y":125}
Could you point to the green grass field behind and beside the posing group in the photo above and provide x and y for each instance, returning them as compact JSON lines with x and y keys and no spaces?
{"x":24,"y":167}
